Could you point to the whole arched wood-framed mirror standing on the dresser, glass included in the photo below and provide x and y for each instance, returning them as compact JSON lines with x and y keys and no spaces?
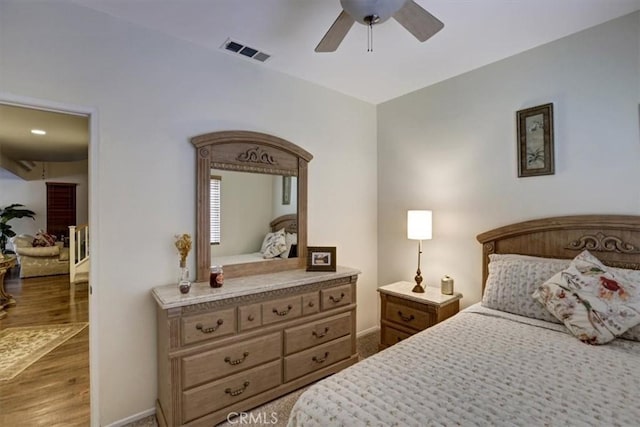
{"x":258,"y":184}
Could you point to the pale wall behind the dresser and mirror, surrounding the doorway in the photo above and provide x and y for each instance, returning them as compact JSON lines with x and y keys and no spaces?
{"x":152,"y":93}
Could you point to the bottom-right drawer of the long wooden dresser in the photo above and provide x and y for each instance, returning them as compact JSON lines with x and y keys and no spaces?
{"x":316,"y":358}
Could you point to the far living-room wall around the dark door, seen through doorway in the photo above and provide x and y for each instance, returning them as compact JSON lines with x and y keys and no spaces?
{"x":33,"y":193}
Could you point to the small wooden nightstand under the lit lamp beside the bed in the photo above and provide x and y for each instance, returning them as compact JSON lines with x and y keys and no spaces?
{"x":404,"y":313}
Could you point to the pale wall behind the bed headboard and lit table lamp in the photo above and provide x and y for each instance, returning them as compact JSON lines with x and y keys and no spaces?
{"x":451,"y":147}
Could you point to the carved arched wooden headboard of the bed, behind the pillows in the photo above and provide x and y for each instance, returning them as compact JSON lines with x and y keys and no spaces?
{"x":614,"y":239}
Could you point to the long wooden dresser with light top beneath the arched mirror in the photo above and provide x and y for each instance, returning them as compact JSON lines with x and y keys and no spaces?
{"x":230,"y":349}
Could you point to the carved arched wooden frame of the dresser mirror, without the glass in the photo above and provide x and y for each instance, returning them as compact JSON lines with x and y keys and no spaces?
{"x":255,"y":152}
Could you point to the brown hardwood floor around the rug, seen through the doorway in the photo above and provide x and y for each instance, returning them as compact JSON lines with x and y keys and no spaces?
{"x":54,"y":391}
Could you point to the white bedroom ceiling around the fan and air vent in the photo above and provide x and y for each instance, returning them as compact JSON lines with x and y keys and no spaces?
{"x":476,"y":32}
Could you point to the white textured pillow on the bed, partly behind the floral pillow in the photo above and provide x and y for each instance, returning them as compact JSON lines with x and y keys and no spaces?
{"x":513,"y":278}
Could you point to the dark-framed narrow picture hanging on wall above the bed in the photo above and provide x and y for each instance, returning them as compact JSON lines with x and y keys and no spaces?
{"x":535,"y":141}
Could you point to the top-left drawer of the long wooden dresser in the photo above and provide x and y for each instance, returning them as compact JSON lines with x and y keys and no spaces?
{"x":208,"y":326}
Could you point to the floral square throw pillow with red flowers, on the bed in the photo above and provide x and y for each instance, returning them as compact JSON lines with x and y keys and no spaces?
{"x":591,"y":301}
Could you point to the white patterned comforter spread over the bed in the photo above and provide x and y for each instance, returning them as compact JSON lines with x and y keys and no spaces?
{"x":482,"y":367}
